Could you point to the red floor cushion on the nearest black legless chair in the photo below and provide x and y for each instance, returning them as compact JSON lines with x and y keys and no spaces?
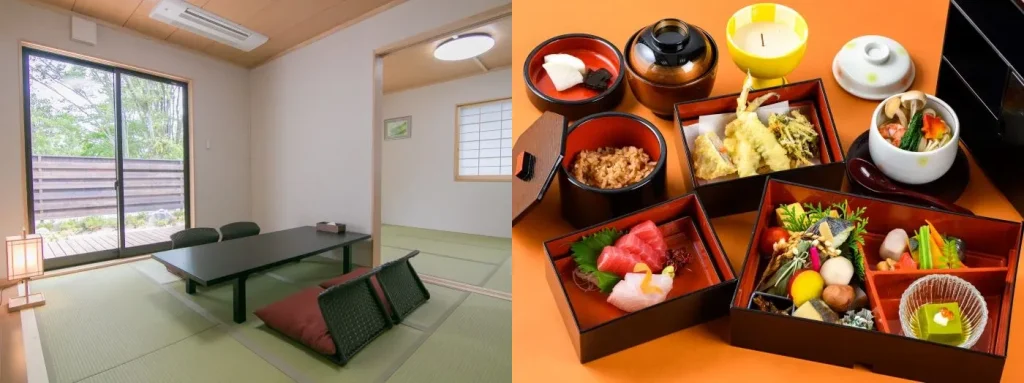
{"x":300,"y":318}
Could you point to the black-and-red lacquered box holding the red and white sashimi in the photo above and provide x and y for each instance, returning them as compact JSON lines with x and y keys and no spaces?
{"x":700,"y":293}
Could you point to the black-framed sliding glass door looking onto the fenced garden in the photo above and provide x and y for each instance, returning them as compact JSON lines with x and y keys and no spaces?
{"x":107,"y":156}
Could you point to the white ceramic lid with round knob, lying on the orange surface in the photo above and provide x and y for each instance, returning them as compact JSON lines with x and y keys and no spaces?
{"x":874,"y":68}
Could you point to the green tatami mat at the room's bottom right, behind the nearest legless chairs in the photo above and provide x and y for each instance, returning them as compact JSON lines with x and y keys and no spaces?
{"x":475,"y":345}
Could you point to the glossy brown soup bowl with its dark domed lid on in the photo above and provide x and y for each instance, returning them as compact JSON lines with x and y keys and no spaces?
{"x":671,"y":62}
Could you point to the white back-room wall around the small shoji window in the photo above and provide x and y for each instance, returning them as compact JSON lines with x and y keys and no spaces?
{"x":418,"y":182}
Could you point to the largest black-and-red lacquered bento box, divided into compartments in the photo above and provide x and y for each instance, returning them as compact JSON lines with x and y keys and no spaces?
{"x":992,"y":259}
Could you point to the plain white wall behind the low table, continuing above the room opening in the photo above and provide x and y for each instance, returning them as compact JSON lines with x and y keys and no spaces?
{"x":313,"y":118}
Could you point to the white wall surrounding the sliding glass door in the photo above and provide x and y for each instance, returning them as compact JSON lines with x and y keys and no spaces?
{"x":221,"y":111}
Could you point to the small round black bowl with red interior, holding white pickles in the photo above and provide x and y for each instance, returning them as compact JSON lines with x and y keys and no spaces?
{"x":579,"y":101}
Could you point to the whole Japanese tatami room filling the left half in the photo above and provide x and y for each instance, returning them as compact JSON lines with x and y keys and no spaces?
{"x":225,"y":191}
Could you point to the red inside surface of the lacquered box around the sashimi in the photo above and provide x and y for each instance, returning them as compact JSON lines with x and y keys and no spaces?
{"x":592,"y":309}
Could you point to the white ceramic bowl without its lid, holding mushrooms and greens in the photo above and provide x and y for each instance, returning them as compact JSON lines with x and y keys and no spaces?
{"x":914,"y":167}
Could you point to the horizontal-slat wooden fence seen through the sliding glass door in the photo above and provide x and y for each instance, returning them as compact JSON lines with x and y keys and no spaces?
{"x":80,"y":187}
